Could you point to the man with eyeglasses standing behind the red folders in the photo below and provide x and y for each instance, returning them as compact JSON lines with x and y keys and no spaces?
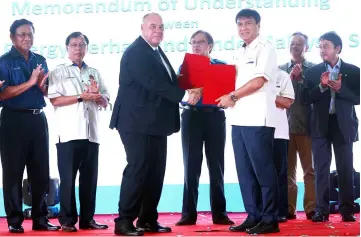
{"x":202,"y":123}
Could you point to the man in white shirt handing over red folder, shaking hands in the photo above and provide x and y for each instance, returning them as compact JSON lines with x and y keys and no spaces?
{"x":253,"y":123}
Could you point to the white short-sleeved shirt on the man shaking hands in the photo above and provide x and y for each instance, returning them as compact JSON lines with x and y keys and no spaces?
{"x":258,"y":59}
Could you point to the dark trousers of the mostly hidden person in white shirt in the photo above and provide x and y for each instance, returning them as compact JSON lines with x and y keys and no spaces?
{"x":280,"y":157}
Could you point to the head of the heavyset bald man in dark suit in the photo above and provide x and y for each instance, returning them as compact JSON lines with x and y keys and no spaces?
{"x":152,"y":29}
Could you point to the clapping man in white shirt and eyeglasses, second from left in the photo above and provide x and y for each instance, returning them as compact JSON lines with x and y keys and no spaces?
{"x":77,"y":91}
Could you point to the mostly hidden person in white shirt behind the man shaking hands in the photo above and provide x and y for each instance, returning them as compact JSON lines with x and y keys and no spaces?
{"x":284,"y":99}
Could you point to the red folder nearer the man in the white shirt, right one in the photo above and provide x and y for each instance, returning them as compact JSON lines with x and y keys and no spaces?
{"x":219,"y":80}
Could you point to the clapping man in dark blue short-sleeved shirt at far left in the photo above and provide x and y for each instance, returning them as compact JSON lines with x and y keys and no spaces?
{"x":24,"y":138}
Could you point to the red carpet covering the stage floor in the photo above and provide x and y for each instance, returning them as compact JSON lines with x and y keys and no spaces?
{"x":204,"y":227}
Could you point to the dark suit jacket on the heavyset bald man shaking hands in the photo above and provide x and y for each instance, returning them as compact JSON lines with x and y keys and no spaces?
{"x":148,"y":99}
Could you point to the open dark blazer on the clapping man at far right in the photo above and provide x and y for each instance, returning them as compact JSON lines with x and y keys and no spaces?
{"x":345,"y":101}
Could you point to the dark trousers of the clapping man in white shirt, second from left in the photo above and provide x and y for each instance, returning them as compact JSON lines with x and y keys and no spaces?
{"x":74,"y":156}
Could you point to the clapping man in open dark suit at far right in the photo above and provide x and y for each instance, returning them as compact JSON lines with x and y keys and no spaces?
{"x":332,"y":88}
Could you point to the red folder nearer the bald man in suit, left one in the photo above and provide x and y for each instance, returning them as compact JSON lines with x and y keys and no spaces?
{"x":193,"y":71}
